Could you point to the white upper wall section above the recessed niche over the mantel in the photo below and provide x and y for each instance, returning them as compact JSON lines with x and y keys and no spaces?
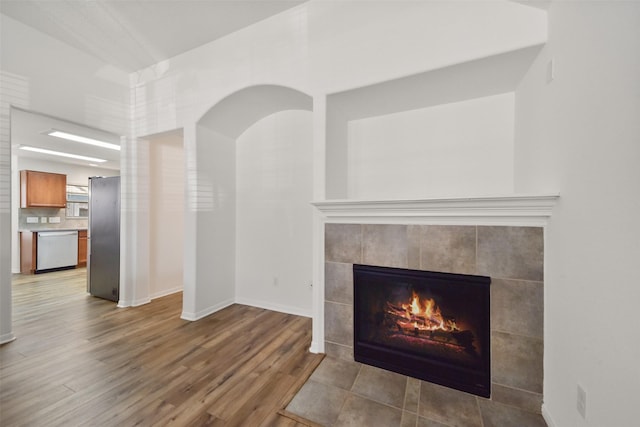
{"x":359,"y":43}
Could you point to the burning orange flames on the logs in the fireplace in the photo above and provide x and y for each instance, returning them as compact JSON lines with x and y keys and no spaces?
{"x":424,"y":315}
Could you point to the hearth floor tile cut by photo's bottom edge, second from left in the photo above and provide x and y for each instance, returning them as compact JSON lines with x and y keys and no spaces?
{"x":358,"y":412}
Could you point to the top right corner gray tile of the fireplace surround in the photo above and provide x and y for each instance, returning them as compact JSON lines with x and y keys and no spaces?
{"x":511,"y":252}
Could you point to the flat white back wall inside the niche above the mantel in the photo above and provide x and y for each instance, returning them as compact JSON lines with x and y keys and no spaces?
{"x":458,"y":149}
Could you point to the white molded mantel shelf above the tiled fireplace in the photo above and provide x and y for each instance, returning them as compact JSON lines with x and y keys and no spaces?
{"x":516,"y":209}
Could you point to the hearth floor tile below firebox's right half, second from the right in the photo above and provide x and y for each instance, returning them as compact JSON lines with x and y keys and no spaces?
{"x":448,"y":406}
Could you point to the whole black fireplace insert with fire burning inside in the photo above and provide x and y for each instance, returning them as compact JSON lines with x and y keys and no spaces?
{"x":428,"y":325}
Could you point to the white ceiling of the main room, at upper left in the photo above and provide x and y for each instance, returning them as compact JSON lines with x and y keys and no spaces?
{"x":134,"y":34}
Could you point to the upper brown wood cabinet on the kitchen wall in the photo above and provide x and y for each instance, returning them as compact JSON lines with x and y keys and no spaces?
{"x":42,"y":189}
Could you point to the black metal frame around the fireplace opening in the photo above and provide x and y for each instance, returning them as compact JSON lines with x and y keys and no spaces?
{"x":475,"y":381}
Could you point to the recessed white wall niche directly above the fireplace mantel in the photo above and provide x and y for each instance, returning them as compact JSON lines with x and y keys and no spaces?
{"x":442,"y":133}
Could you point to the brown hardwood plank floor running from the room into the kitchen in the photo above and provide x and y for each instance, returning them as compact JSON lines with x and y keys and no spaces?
{"x":79,"y":360}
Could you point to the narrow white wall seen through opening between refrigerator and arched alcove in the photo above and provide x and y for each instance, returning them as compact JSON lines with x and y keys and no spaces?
{"x":166,"y":213}
